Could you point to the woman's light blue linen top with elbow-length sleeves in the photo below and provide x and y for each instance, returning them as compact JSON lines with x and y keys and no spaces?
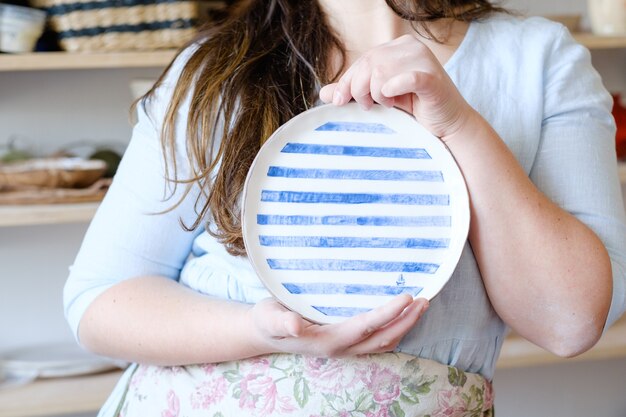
{"x":527,"y":77}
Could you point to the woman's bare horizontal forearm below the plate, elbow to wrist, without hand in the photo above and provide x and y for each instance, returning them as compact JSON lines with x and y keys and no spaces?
{"x":158,"y":321}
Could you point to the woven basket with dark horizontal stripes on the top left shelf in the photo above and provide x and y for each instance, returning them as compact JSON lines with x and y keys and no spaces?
{"x":119,"y":25}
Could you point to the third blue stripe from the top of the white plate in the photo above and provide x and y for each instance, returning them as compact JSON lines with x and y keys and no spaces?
{"x":355,"y":174}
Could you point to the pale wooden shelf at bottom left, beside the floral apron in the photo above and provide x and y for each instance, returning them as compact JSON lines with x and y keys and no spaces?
{"x":47,"y":397}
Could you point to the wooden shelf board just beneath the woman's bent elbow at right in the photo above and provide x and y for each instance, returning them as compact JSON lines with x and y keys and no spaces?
{"x":518,"y":352}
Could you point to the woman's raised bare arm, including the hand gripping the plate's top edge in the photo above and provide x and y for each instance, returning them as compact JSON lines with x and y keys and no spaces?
{"x":547,"y":274}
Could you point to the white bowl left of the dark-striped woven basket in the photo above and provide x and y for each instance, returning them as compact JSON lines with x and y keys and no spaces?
{"x":20,"y":27}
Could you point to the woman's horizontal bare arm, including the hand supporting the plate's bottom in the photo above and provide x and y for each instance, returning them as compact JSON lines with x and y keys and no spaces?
{"x":158,"y":321}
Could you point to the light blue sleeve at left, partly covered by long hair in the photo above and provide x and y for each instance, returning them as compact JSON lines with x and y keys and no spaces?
{"x":132,"y":233}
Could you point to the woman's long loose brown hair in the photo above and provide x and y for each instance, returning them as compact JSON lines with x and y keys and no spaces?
{"x":251,"y":73}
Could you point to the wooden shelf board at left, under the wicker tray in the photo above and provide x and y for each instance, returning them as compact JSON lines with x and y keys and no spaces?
{"x":26,"y":215}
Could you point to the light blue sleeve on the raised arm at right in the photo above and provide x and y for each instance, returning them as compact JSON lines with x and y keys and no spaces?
{"x":576,"y":165}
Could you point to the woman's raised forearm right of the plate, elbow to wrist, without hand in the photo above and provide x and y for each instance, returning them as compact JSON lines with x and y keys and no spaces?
{"x":547,"y":274}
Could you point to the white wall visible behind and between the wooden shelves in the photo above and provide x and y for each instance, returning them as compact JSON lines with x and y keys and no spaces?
{"x":69,"y":106}
